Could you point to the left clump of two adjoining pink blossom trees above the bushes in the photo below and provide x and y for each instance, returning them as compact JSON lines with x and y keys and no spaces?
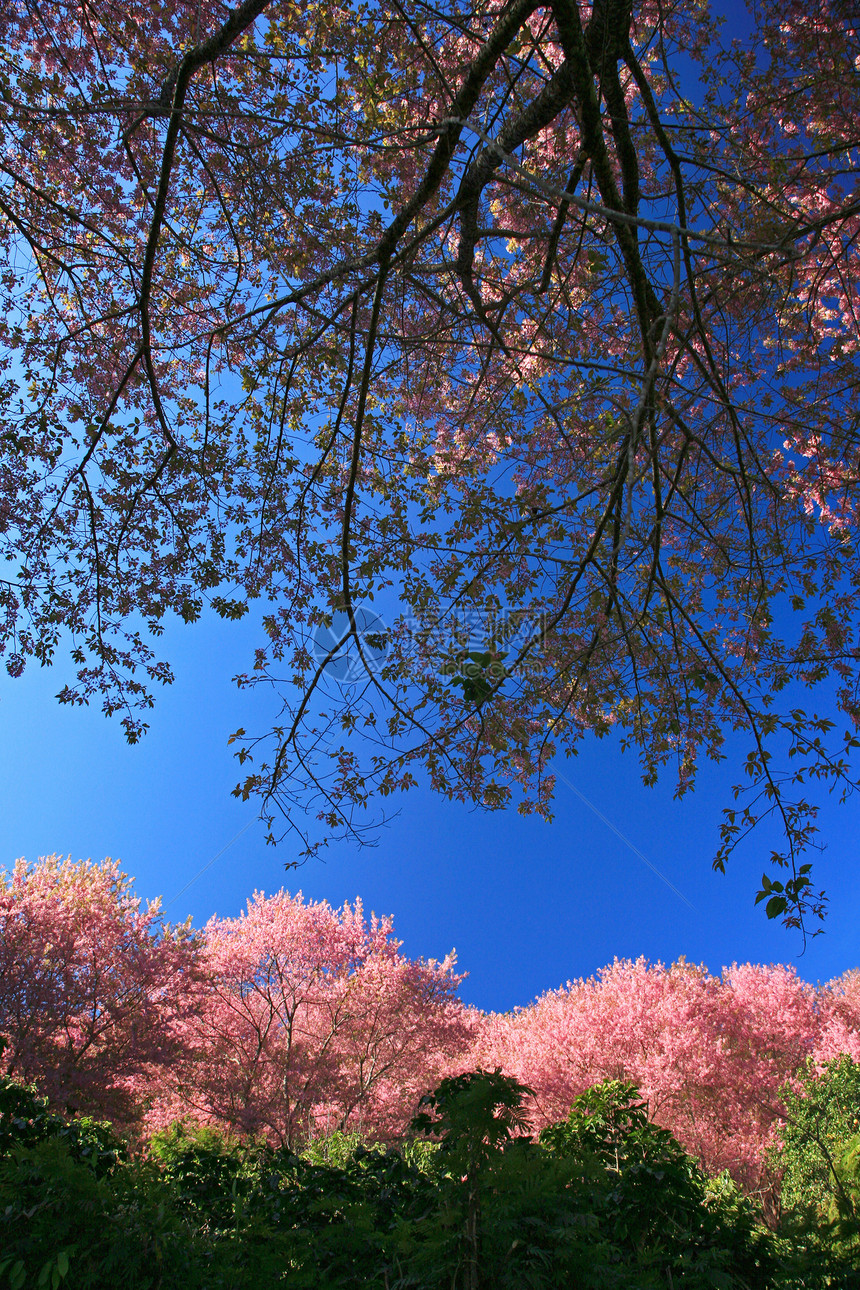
{"x":292,"y":1020}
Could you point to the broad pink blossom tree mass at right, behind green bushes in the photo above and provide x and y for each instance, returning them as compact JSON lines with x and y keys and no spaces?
{"x":712,"y":1055}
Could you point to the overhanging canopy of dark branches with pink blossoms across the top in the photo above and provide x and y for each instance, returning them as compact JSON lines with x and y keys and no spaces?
{"x":479,"y":310}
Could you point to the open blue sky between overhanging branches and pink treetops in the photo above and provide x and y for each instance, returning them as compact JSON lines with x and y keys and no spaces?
{"x":527,"y":905}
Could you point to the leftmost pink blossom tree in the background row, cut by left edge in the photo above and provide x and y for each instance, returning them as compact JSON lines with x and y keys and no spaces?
{"x":92,"y":985}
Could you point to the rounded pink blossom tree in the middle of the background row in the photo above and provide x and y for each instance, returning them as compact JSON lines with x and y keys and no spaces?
{"x":310,"y":1018}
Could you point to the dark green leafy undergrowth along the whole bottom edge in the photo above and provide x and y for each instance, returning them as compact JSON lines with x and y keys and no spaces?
{"x":604,"y":1199}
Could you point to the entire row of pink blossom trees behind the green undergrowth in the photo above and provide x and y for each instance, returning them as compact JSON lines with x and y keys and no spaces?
{"x":296,"y":1020}
